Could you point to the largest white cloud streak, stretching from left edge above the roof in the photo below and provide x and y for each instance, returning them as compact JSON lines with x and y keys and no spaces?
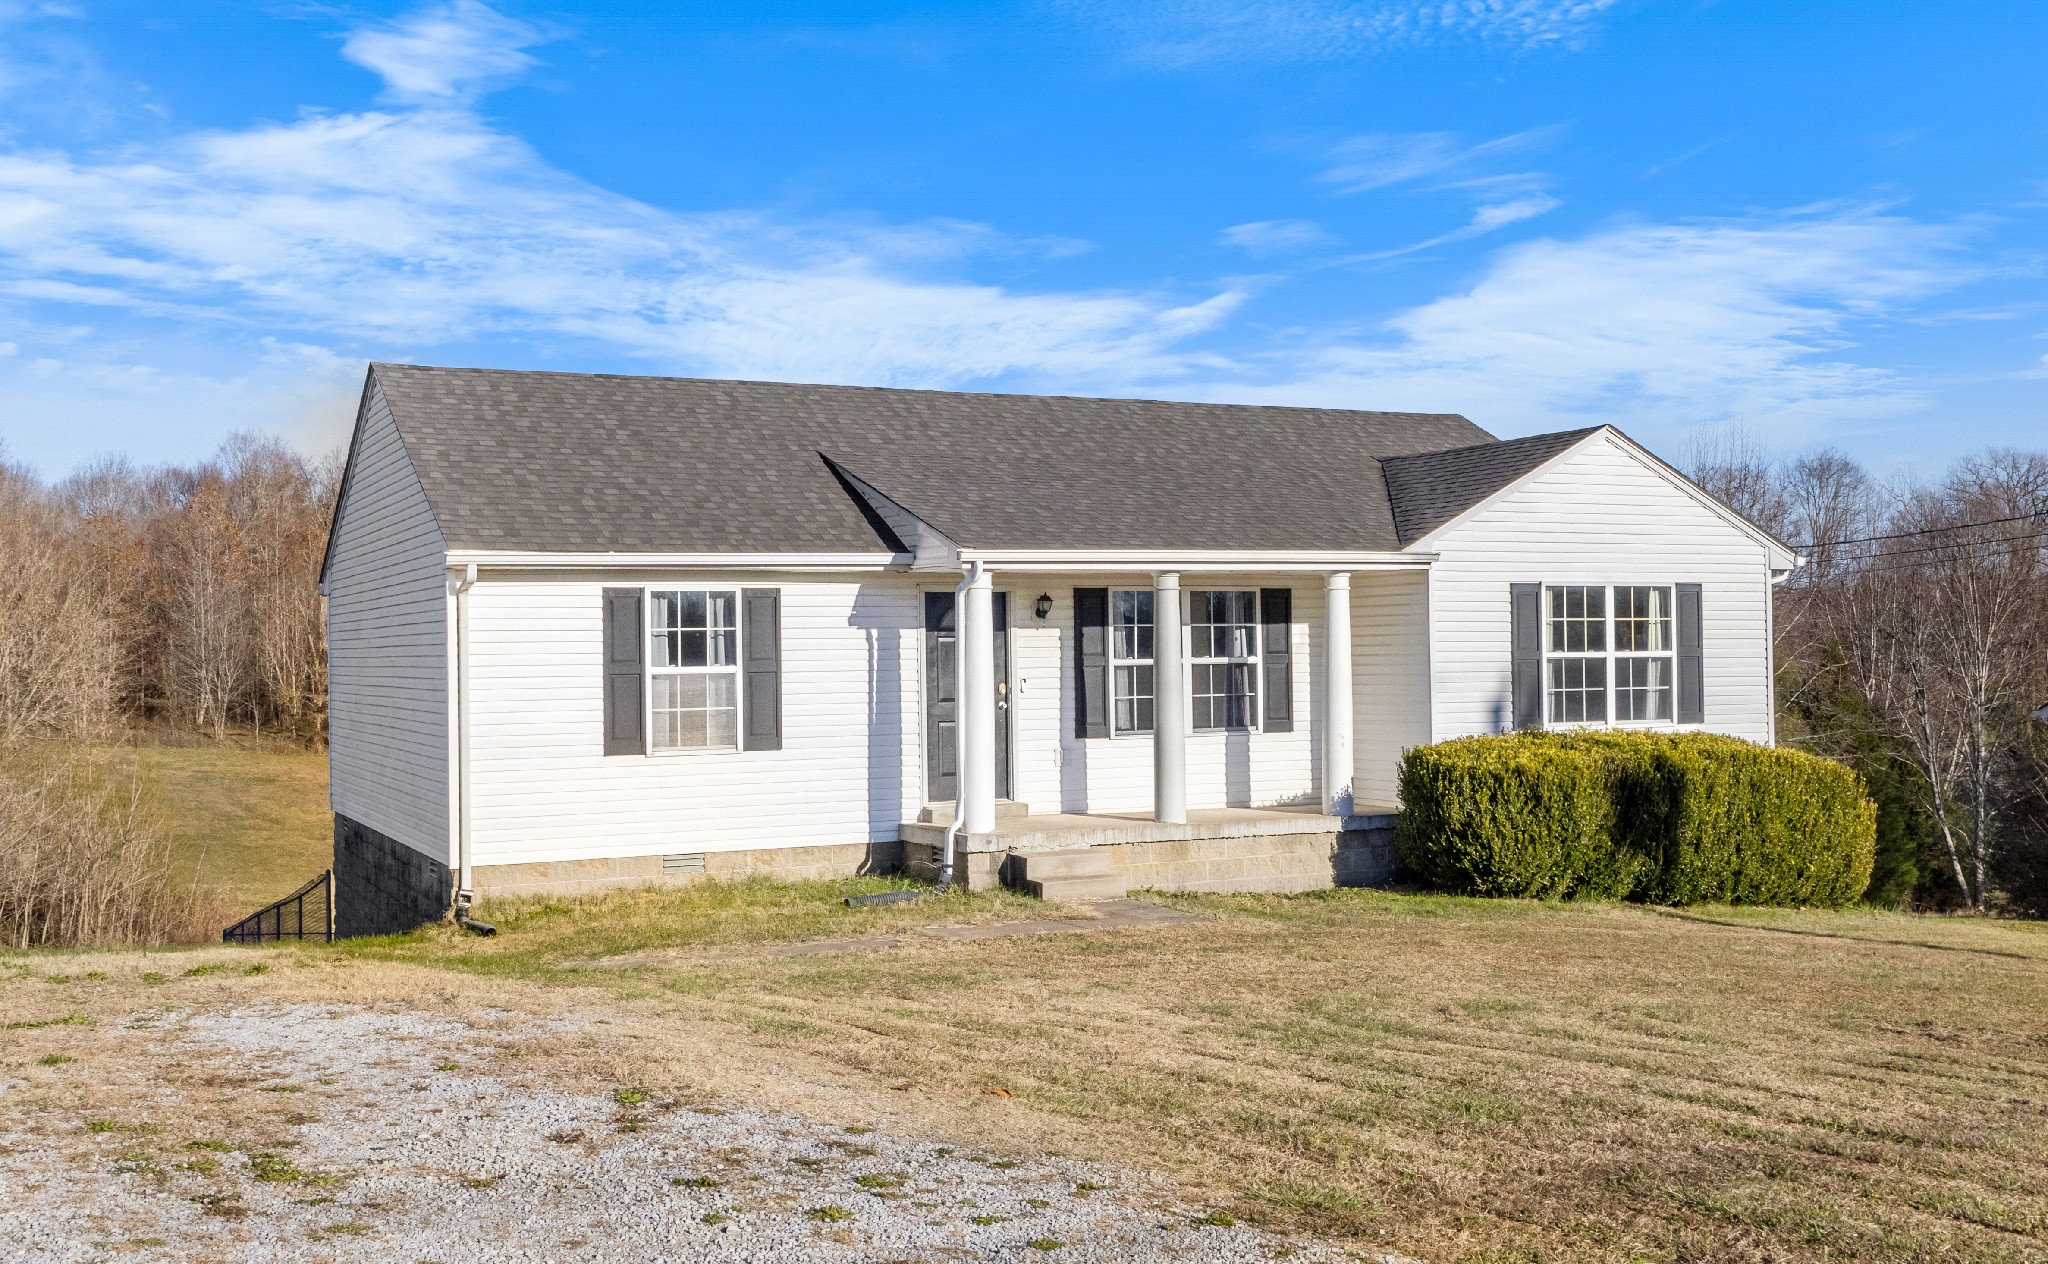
{"x":425,"y":226}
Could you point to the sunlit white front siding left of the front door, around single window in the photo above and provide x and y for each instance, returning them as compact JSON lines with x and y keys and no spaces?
{"x":544,"y":790}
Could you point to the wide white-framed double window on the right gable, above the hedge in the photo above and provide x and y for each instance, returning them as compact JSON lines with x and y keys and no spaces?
{"x":1609,"y":655}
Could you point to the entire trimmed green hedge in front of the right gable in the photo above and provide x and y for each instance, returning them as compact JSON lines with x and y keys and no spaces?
{"x":1674,"y":818}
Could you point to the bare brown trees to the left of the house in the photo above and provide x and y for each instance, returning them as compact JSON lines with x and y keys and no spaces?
{"x":167,"y":595}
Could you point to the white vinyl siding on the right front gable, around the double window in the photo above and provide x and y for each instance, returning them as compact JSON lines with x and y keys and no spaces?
{"x":1598,"y":515}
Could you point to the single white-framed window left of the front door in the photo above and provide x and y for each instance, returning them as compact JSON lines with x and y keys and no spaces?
{"x":693,"y":669}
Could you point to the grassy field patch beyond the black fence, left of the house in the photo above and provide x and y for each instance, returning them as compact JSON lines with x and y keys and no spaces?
{"x":247,"y":820}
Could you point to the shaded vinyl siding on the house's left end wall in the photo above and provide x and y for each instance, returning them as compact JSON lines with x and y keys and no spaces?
{"x":388,"y":646}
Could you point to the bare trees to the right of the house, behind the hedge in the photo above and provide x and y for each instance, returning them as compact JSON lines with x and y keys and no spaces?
{"x":1914,"y":646}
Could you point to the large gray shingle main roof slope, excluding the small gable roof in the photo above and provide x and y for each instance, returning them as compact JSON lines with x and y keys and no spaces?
{"x":568,"y":462}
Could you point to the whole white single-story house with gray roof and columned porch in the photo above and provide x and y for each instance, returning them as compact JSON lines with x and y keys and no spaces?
{"x":595,"y":632}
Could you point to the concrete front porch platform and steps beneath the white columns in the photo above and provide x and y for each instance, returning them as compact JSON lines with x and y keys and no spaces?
{"x":1220,"y":849}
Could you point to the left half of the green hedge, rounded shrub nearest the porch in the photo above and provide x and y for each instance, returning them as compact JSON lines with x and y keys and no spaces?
{"x":1512,"y":816}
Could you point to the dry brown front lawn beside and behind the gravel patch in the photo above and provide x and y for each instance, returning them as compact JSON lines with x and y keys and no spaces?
{"x":1455,"y":1081}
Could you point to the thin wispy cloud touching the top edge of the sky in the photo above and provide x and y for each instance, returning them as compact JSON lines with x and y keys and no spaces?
{"x":1195,"y":32}
